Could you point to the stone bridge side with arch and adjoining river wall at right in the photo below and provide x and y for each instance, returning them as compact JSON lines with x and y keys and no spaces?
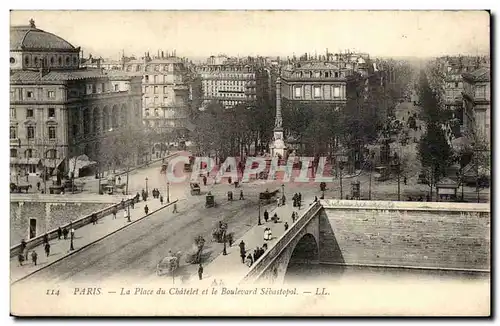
{"x":422,"y":235}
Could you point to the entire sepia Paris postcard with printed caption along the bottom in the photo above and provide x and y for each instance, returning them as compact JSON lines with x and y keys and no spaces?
{"x":250,"y":163}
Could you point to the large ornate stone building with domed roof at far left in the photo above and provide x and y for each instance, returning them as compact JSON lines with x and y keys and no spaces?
{"x":58,"y":110}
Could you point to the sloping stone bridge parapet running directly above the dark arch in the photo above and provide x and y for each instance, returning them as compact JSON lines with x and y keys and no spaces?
{"x":264,"y":263}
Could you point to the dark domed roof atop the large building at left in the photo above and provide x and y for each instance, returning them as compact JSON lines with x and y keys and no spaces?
{"x":29,"y":37}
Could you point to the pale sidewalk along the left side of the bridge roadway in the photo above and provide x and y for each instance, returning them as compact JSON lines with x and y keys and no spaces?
{"x":84,"y":236}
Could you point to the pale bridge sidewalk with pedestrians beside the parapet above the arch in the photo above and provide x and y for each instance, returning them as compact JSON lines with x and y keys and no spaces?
{"x":229,"y":268}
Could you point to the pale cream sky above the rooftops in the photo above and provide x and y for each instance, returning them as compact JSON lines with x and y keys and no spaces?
{"x":204,"y":33}
